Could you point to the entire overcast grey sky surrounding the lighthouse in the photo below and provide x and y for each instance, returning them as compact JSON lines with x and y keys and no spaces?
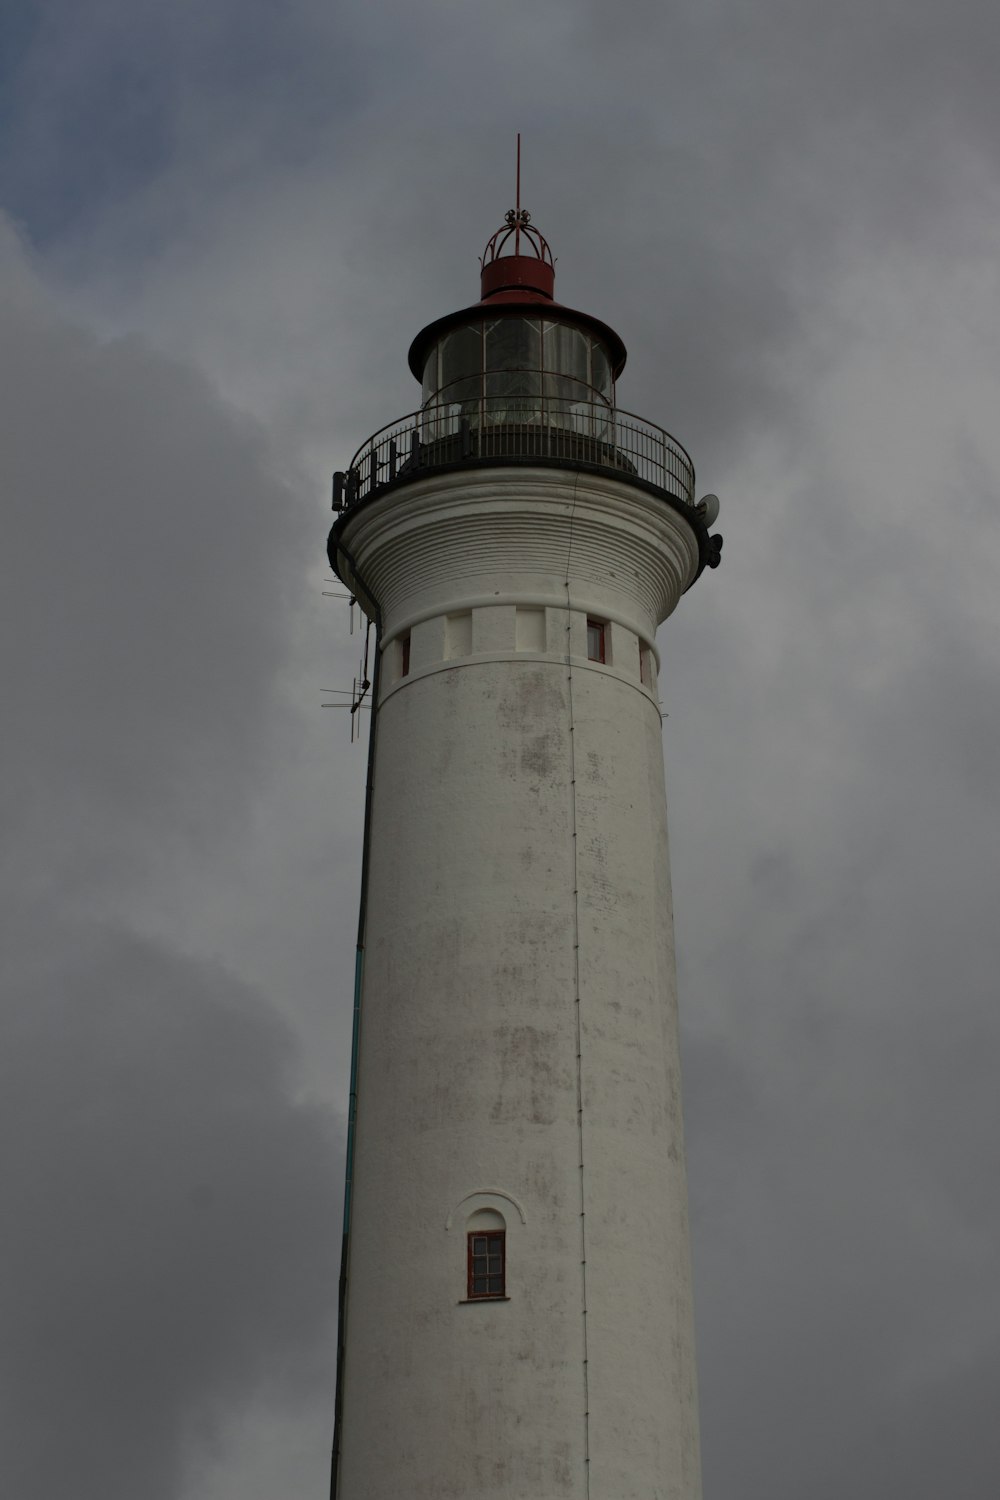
{"x":220,"y":227}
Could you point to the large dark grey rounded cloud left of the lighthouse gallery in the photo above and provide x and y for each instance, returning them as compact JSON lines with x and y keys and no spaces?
{"x":140,"y":517}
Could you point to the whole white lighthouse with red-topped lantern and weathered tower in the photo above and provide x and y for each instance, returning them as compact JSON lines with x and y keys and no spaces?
{"x":516,"y":1294}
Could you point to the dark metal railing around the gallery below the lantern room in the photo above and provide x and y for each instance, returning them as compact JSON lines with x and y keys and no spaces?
{"x":518,"y":430}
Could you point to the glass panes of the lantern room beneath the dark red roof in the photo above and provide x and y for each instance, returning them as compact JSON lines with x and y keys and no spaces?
{"x":506,"y":371}
